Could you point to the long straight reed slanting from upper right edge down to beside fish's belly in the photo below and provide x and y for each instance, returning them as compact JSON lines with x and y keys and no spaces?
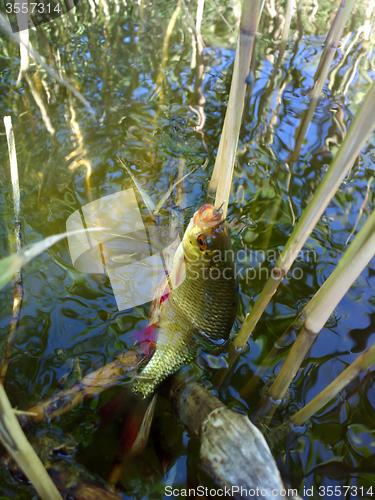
{"x":356,"y":138}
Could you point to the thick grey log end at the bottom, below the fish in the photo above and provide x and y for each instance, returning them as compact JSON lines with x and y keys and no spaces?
{"x":233,"y":451}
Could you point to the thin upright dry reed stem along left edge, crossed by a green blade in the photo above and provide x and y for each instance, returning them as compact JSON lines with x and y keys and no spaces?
{"x":18,"y":287}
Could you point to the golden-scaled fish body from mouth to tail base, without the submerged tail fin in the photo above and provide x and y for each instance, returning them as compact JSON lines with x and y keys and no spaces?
{"x":200,"y":305}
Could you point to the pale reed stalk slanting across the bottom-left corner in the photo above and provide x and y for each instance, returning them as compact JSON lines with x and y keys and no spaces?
{"x":17,"y":445}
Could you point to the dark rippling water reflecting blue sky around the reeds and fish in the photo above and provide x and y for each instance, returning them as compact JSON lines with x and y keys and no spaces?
{"x":144,"y":109}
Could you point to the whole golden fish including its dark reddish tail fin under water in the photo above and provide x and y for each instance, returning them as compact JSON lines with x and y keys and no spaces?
{"x":196,"y":309}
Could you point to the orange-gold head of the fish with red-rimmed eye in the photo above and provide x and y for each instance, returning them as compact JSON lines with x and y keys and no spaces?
{"x":207,"y":237}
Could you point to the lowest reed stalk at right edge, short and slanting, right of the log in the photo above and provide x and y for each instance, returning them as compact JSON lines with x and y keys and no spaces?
{"x":361,"y":364}
